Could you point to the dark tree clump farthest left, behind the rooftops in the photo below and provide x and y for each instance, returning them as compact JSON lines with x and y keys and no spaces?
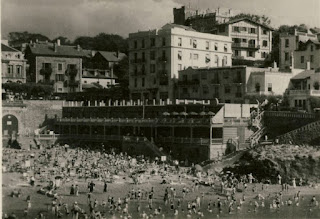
{"x":17,"y":38}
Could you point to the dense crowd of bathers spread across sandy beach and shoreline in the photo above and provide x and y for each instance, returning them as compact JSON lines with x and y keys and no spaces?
{"x":62,"y":167}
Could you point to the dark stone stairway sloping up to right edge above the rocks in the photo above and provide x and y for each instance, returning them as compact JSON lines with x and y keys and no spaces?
{"x":302,"y":135}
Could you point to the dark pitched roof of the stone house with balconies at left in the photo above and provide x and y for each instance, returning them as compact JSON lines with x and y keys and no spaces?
{"x":62,"y":50}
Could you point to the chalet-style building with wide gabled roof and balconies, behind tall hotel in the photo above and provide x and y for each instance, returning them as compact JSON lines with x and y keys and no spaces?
{"x":251,"y":40}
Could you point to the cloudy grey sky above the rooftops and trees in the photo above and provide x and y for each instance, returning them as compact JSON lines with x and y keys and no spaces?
{"x":72,"y":18}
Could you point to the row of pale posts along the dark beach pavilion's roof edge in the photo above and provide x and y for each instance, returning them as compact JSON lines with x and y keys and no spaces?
{"x":133,"y":103}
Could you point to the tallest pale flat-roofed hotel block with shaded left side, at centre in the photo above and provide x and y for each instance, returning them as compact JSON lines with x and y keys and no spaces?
{"x":156,"y":56}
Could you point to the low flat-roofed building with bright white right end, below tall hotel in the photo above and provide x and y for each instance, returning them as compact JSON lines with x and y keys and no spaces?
{"x":231,"y":84}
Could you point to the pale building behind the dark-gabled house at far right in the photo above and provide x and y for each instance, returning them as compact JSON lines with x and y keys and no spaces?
{"x":289,"y":42}
